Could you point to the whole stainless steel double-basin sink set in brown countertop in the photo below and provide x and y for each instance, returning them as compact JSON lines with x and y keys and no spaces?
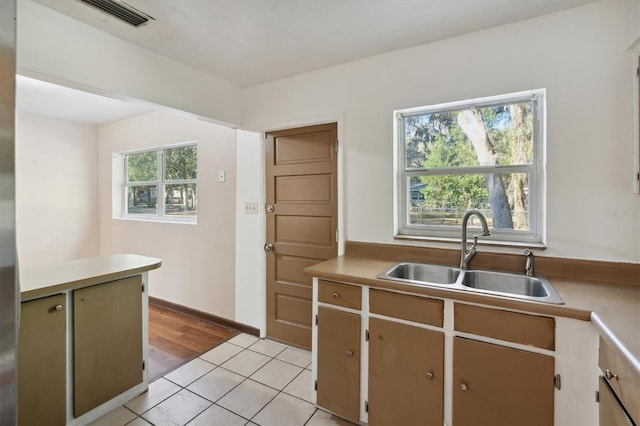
{"x":517,"y":286}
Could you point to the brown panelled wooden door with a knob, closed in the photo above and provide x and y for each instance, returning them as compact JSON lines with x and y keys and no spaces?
{"x":302,"y":224}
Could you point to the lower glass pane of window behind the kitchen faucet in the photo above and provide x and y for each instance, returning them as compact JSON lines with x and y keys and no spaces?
{"x":442,"y":200}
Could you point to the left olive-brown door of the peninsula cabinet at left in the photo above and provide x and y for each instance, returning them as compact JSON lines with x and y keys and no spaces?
{"x":42,"y":350}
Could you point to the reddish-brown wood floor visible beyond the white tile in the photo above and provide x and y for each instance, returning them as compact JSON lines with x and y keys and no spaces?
{"x":175,"y":338}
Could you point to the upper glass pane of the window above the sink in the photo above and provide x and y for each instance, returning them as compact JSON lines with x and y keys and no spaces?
{"x":501,"y":134}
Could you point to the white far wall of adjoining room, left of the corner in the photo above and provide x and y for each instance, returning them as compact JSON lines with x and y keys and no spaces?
{"x":56,"y":190}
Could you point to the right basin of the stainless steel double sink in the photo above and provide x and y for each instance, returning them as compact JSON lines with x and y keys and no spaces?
{"x":521,"y":286}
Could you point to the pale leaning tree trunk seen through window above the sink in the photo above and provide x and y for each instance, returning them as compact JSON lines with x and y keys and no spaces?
{"x":471,"y":123}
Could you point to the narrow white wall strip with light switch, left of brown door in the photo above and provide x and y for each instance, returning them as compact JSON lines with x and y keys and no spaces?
{"x":251,"y":294}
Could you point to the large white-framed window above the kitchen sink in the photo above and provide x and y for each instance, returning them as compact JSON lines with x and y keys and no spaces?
{"x":485,"y":154}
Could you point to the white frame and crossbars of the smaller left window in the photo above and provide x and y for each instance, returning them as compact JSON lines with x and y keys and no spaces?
{"x":160,"y":184}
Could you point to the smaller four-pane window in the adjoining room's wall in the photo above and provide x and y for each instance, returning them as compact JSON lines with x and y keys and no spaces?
{"x":162,"y":183}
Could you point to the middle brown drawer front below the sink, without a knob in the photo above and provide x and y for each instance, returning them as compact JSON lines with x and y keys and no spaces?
{"x":404,"y":306}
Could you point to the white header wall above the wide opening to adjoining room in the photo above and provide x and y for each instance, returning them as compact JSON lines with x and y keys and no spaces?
{"x":56,"y":48}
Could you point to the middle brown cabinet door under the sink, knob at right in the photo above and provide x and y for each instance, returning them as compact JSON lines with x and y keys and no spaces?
{"x":406,"y":374}
